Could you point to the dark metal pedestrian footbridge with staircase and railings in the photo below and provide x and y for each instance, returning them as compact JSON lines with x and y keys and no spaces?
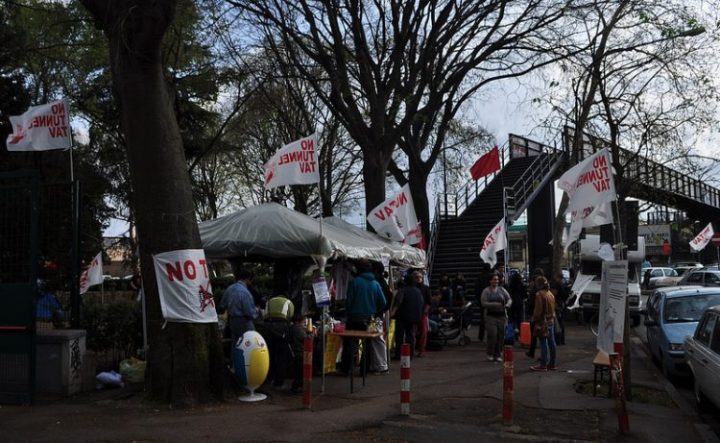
{"x":525,"y":183}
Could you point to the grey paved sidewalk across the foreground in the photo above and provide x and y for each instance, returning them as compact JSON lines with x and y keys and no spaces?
{"x":456,"y":396}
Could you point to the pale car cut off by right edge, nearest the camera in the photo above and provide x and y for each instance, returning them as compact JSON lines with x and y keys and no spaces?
{"x":703,"y":358}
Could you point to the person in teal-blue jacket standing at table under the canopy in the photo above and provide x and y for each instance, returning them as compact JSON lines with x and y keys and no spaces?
{"x":364,"y":299}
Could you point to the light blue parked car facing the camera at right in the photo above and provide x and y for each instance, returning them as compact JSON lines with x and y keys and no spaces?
{"x":672,"y":314}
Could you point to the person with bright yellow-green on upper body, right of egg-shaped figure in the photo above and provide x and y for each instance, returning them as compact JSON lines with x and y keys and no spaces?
{"x":280,"y":312}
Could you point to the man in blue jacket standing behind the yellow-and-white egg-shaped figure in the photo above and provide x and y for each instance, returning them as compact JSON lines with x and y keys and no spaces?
{"x":238,"y":302}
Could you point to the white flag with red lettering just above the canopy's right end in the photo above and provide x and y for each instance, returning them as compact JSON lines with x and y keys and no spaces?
{"x":395,"y":218}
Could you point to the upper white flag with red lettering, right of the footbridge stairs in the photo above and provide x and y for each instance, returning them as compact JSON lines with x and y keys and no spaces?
{"x":589,"y":183}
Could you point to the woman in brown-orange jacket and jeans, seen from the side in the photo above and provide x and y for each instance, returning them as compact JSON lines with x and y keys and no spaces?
{"x":544,"y":321}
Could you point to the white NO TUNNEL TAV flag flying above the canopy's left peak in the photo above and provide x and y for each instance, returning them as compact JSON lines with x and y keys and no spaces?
{"x":294,"y":164}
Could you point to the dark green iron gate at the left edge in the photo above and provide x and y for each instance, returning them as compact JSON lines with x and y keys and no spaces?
{"x":19,"y":197}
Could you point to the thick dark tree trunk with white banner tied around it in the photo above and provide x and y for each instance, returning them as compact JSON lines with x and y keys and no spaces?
{"x":185,"y":360}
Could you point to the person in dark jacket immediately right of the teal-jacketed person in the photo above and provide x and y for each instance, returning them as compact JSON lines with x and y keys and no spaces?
{"x":407,"y":312}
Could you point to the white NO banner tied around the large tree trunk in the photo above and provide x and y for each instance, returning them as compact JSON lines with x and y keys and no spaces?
{"x":184,"y":286}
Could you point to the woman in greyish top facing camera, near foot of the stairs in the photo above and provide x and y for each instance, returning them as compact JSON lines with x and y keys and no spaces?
{"x":495,"y":299}
